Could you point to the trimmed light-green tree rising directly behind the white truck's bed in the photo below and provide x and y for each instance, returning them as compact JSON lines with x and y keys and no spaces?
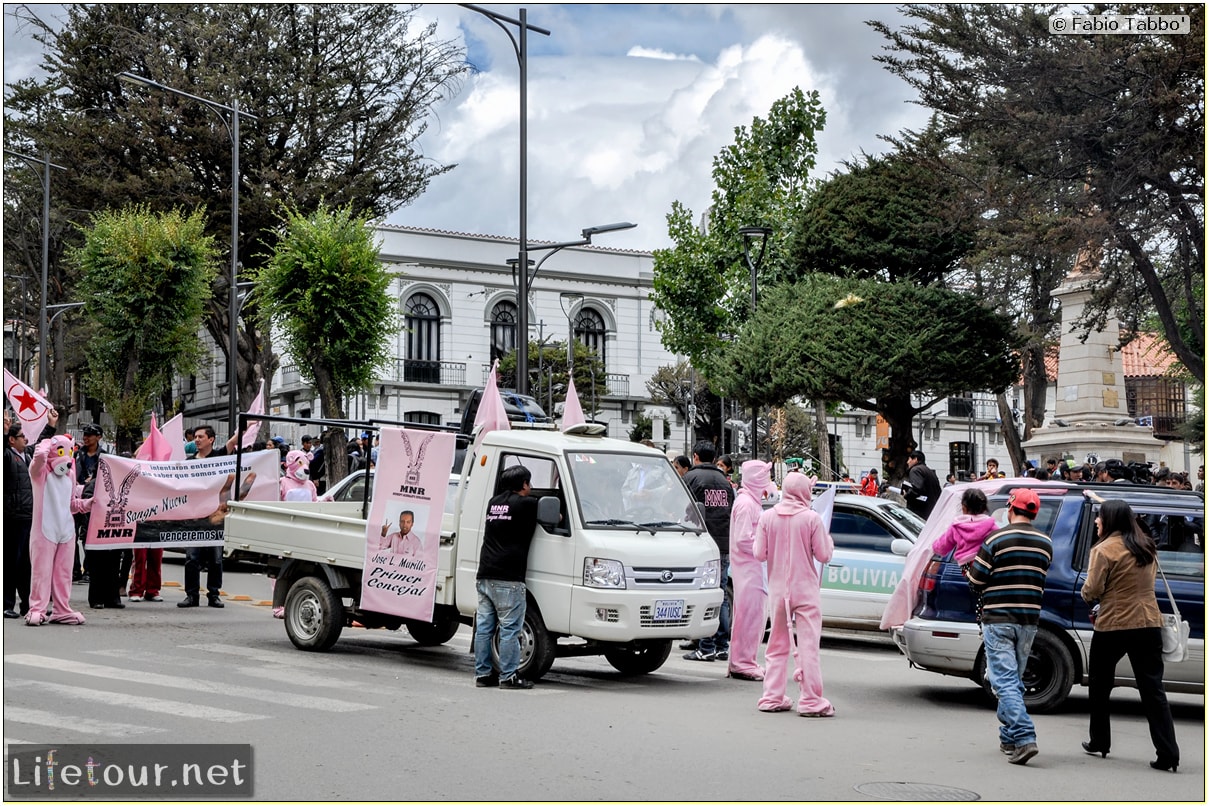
{"x":325,"y":291}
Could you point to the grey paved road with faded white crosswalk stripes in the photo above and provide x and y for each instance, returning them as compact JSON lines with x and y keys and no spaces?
{"x":383,"y":718}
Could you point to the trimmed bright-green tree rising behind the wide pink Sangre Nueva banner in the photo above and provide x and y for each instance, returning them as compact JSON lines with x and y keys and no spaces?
{"x":146,"y":279}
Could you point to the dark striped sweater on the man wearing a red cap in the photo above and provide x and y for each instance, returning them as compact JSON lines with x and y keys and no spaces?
{"x":1010,"y":575}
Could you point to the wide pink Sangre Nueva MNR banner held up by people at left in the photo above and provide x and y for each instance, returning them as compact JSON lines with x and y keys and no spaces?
{"x":173,"y":505}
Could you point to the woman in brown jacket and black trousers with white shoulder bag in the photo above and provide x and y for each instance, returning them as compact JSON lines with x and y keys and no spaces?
{"x":1121,"y":577}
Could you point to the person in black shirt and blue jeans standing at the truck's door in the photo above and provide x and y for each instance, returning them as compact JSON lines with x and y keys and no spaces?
{"x":512,"y":519}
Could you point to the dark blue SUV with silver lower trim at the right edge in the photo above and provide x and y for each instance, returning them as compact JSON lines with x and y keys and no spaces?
{"x":942,"y":635}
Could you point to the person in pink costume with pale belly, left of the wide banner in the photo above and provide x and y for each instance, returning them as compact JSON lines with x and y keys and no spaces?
{"x":53,"y":537}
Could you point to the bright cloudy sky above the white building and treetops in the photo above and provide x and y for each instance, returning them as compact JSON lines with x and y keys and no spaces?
{"x":628,"y":105}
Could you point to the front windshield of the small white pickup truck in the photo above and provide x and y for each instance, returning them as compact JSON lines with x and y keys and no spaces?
{"x":626,"y":490}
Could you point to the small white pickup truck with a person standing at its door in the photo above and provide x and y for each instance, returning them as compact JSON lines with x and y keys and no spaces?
{"x":621,"y":563}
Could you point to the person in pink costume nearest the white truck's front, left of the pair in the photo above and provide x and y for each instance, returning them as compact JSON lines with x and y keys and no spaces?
{"x":748,"y":576}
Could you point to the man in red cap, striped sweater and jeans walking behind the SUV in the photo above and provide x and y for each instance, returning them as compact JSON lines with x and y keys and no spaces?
{"x":1010,"y":576}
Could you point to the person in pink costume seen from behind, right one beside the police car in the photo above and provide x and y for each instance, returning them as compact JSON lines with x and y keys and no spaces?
{"x":794,"y":541}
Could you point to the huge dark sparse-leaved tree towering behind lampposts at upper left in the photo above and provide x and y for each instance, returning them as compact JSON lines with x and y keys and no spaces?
{"x":342,"y":94}
